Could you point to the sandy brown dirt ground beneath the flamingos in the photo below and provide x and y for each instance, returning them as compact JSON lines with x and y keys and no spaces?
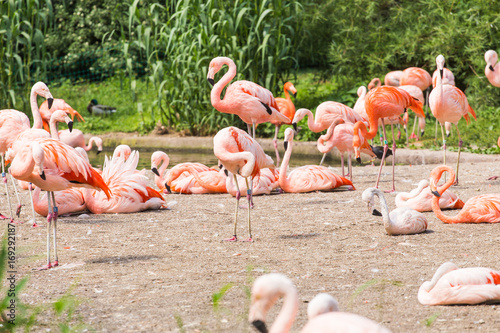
{"x":156,"y":271}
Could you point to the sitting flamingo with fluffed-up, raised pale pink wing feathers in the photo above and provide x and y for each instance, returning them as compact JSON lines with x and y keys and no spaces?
{"x":131,"y":192}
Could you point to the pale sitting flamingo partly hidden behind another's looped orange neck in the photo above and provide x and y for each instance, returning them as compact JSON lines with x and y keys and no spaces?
{"x":420,"y":199}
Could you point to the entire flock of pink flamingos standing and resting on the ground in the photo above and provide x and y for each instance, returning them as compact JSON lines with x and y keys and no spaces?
{"x":43,"y":158}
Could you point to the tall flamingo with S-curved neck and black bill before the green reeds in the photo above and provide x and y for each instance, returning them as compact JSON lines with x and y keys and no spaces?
{"x":251,"y":102}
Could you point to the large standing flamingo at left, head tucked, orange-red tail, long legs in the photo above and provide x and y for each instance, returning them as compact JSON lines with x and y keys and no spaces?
{"x":53,"y":166}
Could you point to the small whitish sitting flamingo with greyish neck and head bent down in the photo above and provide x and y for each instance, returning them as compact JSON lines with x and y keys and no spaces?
{"x":401,"y":221}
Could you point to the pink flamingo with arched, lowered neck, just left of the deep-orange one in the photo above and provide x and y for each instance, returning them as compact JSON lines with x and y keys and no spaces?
{"x":326,"y":113}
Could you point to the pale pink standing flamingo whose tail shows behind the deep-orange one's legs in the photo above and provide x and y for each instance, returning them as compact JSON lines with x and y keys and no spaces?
{"x":340,"y":135}
